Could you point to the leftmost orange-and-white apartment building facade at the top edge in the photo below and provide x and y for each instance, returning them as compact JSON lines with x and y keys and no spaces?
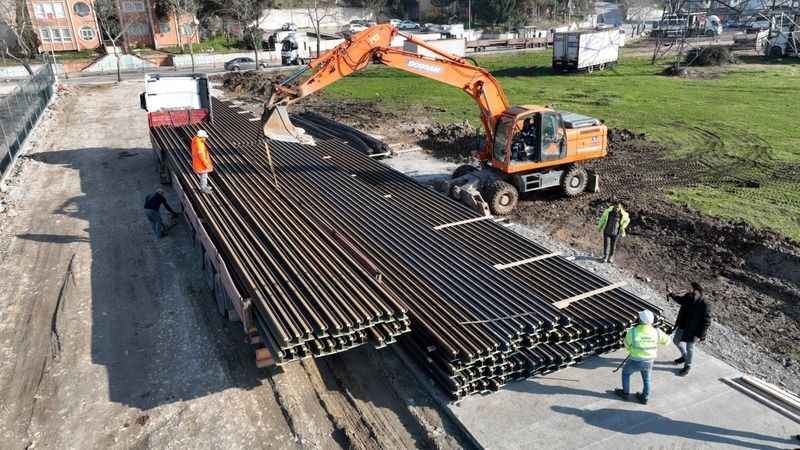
{"x":65,"y":25}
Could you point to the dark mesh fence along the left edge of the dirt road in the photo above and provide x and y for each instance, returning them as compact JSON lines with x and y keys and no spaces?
{"x":19,"y":111}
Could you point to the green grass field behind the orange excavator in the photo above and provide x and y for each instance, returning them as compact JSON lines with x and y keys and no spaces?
{"x":743,"y":120}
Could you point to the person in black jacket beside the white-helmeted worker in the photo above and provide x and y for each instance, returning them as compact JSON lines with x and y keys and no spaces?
{"x":692,"y":324}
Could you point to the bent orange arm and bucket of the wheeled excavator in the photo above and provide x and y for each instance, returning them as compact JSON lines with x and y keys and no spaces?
{"x":374,"y":44}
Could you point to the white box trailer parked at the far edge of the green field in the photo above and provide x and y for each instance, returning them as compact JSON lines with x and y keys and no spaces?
{"x":585,"y":50}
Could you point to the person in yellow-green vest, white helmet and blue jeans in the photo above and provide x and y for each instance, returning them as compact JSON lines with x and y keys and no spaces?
{"x":642,"y":342}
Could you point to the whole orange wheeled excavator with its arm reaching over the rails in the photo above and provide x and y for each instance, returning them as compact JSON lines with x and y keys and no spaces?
{"x":527,"y":148}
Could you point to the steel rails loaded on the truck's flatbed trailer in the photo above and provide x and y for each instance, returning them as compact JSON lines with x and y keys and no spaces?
{"x":312,"y":296}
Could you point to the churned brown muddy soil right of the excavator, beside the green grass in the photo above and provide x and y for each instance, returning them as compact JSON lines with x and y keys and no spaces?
{"x":752,"y":276}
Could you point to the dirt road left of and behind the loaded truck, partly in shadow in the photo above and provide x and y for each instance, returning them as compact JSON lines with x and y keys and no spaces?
{"x":111,"y":339}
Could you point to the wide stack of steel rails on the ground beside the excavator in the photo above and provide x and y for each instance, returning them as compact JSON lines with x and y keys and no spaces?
{"x":486,"y":305}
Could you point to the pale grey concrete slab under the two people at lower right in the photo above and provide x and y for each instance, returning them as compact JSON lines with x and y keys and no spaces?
{"x":576,"y":408}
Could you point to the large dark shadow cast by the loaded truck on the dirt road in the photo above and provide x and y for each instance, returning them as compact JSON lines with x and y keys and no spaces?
{"x":155,"y":327}
